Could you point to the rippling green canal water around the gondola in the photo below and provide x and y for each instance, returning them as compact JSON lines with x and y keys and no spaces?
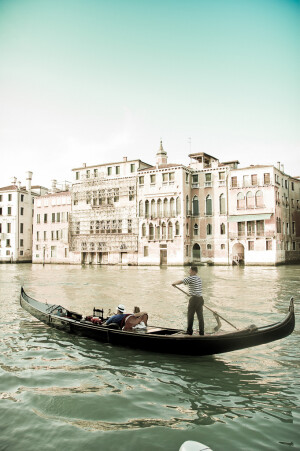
{"x":62,"y":392}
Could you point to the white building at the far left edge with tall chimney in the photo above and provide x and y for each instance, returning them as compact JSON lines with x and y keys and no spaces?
{"x":16,"y":212}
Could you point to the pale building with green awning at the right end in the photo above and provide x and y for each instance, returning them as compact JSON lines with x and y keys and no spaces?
{"x":264,"y":219}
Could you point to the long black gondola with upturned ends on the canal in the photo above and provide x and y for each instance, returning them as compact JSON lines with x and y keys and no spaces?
{"x":160,"y":339}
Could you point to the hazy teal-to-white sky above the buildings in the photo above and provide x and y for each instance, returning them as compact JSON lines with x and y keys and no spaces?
{"x":95,"y":80}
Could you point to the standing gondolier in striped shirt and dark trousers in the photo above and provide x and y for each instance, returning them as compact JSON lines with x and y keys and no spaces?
{"x":196,"y":300}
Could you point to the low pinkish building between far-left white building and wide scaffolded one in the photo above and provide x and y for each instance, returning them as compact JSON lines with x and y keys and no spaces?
{"x":51,"y":227}
